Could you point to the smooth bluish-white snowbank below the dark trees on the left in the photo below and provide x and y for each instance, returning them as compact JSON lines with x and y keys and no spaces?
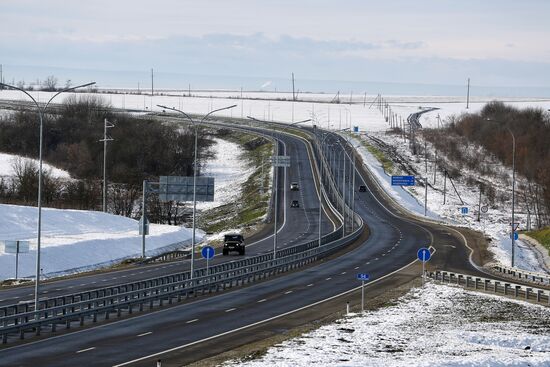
{"x":78,"y":240}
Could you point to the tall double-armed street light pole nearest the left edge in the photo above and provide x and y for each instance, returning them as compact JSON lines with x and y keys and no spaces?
{"x":41,"y":112}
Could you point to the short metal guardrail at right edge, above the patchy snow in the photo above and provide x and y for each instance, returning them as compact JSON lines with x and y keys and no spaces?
{"x":541,"y":296}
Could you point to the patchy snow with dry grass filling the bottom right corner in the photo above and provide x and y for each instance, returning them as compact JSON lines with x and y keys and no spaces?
{"x":435,"y":326}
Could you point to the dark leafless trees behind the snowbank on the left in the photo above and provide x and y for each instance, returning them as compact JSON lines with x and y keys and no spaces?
{"x":142,"y":148}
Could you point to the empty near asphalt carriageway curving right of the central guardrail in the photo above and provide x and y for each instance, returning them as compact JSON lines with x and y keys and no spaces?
{"x":170,"y":334}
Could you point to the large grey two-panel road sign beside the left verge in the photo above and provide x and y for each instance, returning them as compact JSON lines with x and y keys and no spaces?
{"x":179,"y":188}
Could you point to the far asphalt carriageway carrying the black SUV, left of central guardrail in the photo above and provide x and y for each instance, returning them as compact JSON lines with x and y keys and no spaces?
{"x":295,"y":225}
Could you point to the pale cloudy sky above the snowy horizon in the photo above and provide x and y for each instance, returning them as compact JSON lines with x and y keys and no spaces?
{"x":327,"y":44}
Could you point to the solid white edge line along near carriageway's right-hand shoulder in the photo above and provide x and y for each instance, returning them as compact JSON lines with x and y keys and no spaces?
{"x":260,"y":322}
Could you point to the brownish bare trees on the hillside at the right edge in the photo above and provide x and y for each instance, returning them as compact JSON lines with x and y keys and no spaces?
{"x":494,"y":128}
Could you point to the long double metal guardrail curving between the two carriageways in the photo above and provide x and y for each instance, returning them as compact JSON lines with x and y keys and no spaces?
{"x":92,"y":305}
